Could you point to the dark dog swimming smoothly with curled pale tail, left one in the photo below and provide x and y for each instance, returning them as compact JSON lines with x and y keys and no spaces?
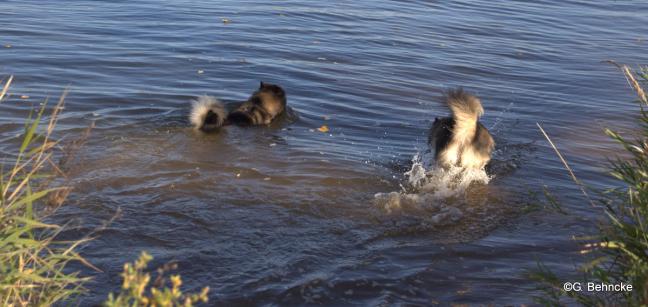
{"x":265,"y":104}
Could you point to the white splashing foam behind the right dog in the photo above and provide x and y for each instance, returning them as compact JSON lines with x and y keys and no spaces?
{"x":435,"y":192}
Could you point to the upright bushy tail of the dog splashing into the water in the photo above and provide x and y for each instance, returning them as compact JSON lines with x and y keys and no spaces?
{"x":466,"y":110}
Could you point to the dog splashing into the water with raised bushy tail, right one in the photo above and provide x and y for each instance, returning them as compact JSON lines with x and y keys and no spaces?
{"x":461,"y":140}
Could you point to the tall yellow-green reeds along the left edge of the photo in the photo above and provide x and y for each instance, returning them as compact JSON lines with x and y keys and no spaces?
{"x":33,"y":261}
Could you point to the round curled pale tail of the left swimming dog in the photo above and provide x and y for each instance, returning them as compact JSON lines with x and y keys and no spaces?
{"x":207,"y":113}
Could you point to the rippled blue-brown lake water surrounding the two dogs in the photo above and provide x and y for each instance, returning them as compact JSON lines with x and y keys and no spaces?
{"x":286,"y":214}
